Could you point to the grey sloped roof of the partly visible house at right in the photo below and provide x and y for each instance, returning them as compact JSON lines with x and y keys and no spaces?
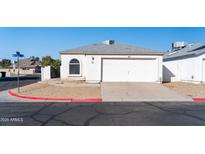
{"x":189,"y":50}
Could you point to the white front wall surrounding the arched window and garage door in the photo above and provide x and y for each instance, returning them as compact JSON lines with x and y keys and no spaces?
{"x":91,"y":65}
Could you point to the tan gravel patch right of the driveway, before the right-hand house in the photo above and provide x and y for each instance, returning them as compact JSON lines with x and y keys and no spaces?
{"x":187,"y":89}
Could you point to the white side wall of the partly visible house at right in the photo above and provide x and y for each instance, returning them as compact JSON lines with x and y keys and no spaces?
{"x":187,"y":69}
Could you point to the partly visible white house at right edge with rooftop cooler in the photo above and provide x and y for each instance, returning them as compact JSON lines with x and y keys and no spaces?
{"x":185,"y":63}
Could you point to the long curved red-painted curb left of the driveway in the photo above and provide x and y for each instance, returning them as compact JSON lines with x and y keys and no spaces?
{"x":96,"y":100}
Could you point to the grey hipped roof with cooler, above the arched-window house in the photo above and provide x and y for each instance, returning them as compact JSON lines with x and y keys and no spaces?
{"x":110,"y":47}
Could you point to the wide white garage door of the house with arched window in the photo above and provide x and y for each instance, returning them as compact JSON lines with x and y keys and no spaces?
{"x":129,"y":70}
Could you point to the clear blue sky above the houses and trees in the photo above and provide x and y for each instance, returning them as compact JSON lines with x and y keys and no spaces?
{"x":49,"y":41}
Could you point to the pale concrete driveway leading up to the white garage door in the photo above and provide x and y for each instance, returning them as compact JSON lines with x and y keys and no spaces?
{"x":139,"y":92}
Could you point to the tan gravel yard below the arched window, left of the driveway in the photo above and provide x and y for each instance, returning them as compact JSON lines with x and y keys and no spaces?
{"x":52,"y":91}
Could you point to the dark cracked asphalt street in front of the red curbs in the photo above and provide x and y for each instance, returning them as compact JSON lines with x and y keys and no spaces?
{"x":18,"y":112}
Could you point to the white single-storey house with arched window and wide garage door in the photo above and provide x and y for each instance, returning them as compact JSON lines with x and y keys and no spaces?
{"x":111,"y":62}
